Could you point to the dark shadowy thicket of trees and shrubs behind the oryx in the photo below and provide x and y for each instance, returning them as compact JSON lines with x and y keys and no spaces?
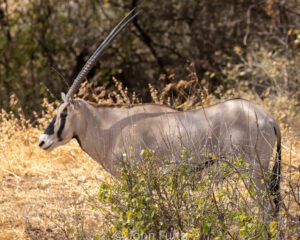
{"x":44,"y":44}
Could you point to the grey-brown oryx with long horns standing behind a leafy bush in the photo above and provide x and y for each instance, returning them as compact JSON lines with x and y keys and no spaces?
{"x":105,"y":133}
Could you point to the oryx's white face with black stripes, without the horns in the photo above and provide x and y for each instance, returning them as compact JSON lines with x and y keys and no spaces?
{"x":60,"y":130}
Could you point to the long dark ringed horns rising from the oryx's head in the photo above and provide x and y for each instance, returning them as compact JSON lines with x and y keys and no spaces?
{"x":92,"y":60}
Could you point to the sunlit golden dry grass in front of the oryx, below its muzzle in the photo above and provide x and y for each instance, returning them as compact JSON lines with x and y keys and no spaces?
{"x":45,"y":195}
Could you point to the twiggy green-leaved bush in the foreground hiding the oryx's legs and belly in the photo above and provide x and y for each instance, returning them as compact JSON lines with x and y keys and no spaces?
{"x":160,"y":201}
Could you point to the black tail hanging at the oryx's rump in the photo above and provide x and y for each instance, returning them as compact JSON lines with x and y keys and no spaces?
{"x":275,"y":179}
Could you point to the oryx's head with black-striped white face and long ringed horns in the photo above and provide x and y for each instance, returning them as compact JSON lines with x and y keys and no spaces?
{"x":62,"y":127}
